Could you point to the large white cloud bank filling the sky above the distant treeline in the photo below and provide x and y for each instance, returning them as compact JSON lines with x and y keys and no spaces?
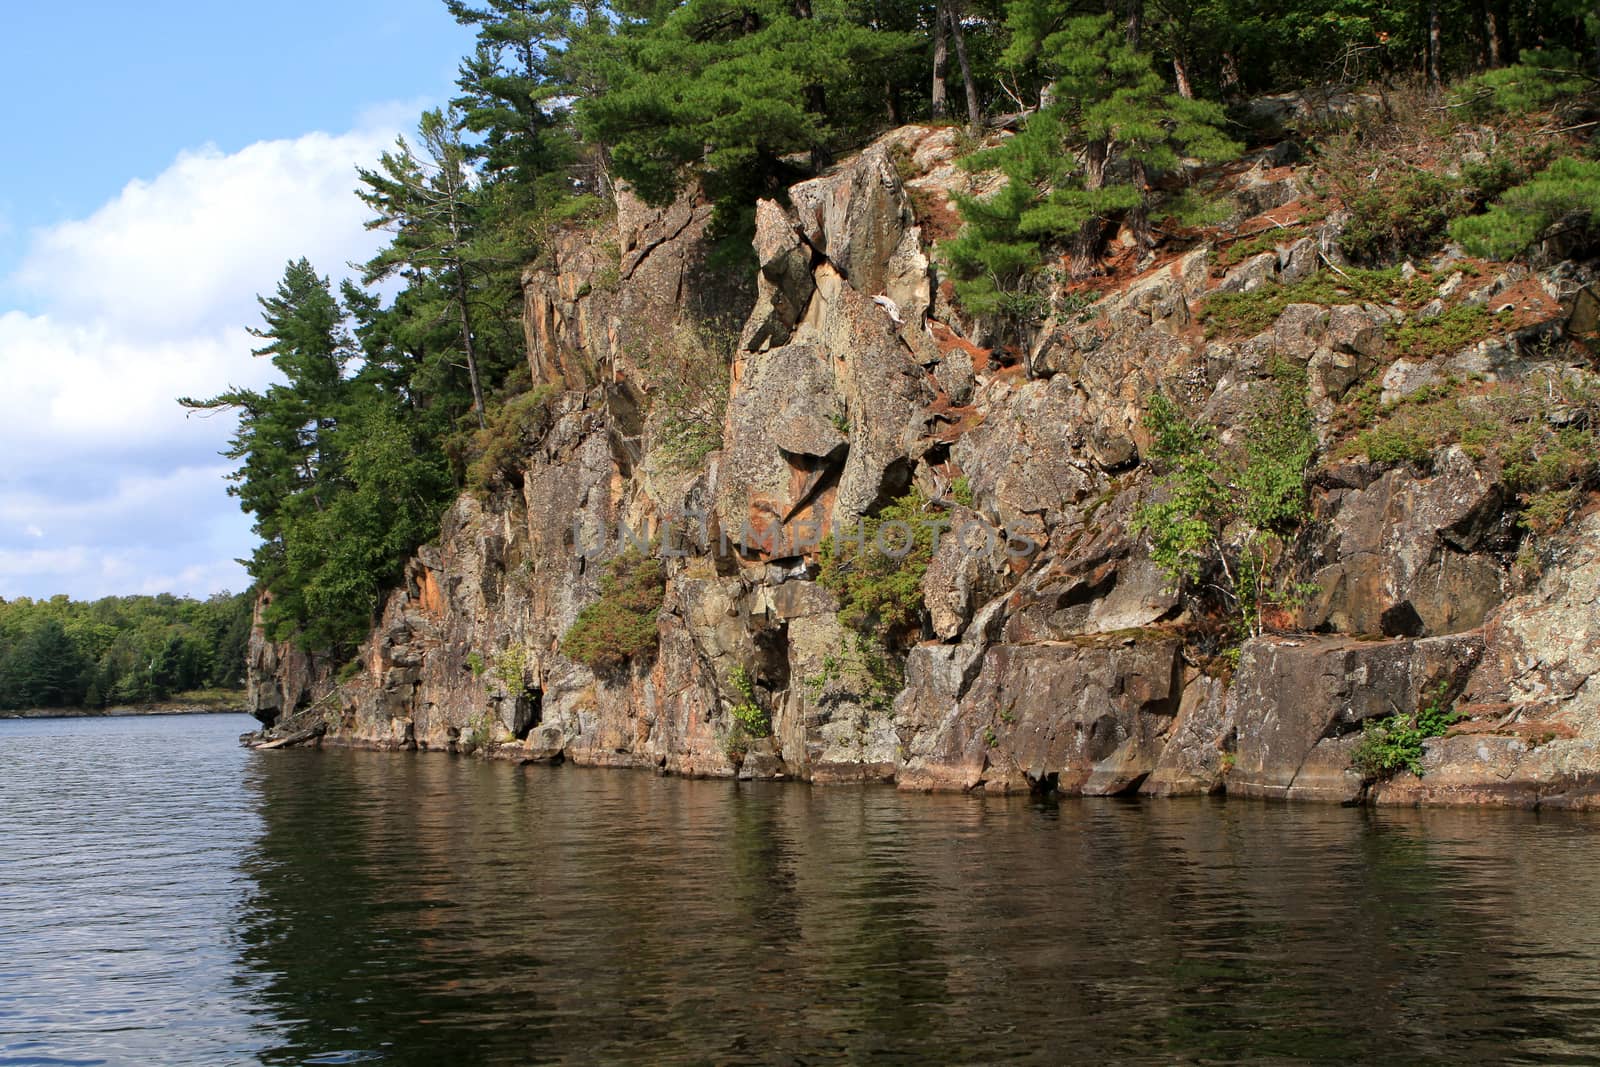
{"x":106,"y":486}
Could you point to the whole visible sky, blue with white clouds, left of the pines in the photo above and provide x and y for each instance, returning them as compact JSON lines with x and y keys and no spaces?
{"x":166,"y":159}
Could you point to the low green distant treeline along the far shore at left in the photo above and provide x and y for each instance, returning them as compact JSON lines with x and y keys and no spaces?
{"x":119,"y":650}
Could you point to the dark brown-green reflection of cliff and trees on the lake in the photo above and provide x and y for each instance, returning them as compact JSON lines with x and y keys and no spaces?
{"x":425,"y":908}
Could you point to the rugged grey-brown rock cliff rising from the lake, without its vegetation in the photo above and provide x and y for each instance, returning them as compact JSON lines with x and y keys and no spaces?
{"x":1055,"y":652}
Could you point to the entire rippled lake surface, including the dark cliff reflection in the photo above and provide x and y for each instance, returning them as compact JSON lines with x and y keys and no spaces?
{"x":169,"y":898}
